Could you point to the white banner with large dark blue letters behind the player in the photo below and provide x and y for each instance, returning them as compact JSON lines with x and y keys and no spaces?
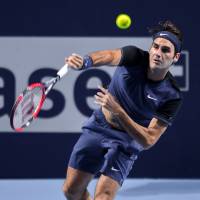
{"x":25,"y":57}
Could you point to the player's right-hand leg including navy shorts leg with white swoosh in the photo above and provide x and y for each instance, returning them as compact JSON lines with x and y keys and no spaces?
{"x":116,"y":168}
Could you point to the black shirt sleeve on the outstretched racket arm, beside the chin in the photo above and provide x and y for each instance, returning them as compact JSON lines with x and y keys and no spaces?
{"x":132,"y":56}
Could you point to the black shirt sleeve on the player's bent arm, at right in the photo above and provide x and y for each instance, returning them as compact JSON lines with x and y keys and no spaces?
{"x":168,"y":111}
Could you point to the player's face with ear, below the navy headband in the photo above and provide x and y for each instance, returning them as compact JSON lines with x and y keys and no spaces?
{"x":162,"y":54}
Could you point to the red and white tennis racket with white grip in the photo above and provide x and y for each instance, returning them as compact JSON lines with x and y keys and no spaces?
{"x":29,"y":103}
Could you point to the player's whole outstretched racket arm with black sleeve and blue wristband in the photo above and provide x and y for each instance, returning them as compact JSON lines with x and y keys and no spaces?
{"x":126,"y":56}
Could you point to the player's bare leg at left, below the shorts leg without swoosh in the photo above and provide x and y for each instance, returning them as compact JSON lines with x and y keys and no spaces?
{"x":75,"y":185}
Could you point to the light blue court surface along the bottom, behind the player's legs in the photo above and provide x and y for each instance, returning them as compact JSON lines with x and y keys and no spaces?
{"x":140,"y":189}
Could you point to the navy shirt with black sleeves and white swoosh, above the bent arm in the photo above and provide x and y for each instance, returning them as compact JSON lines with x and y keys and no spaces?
{"x":141,"y":97}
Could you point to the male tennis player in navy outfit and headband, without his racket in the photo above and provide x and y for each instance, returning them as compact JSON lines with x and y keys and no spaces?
{"x":141,"y":101}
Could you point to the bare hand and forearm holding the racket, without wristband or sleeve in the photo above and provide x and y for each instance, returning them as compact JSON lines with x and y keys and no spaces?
{"x":98,"y":58}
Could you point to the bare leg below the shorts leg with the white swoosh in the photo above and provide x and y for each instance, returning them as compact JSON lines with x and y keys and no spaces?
{"x":106,"y":188}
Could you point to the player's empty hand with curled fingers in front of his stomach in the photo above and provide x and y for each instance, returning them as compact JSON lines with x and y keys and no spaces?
{"x":106,"y":100}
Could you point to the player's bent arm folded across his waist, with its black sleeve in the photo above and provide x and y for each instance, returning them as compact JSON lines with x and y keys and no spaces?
{"x":146,"y":136}
